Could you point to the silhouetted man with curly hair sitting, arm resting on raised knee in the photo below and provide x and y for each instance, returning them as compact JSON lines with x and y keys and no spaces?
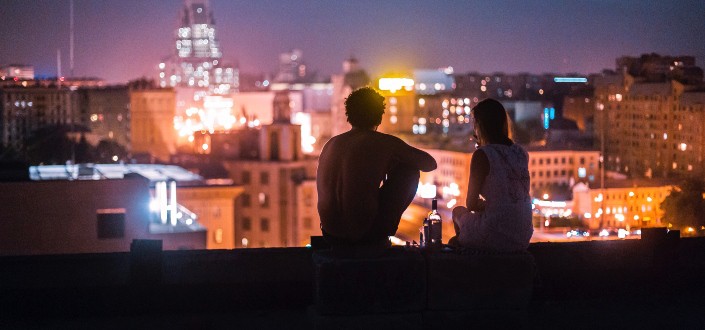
{"x":366,"y":179}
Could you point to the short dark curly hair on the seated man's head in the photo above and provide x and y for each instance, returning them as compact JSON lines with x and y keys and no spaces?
{"x":364,"y":108}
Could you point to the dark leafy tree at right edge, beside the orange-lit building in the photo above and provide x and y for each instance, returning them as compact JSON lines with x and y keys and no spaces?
{"x":685,"y":206}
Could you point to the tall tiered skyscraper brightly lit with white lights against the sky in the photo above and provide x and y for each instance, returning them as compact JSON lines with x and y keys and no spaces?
{"x":196,"y":63}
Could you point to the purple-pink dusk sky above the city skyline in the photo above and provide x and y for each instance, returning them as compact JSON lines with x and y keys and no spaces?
{"x":126,"y":39}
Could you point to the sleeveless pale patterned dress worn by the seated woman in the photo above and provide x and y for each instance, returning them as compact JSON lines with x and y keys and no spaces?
{"x":505,"y":224}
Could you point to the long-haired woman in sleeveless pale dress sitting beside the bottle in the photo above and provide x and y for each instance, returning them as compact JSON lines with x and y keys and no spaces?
{"x":498,"y":212}
